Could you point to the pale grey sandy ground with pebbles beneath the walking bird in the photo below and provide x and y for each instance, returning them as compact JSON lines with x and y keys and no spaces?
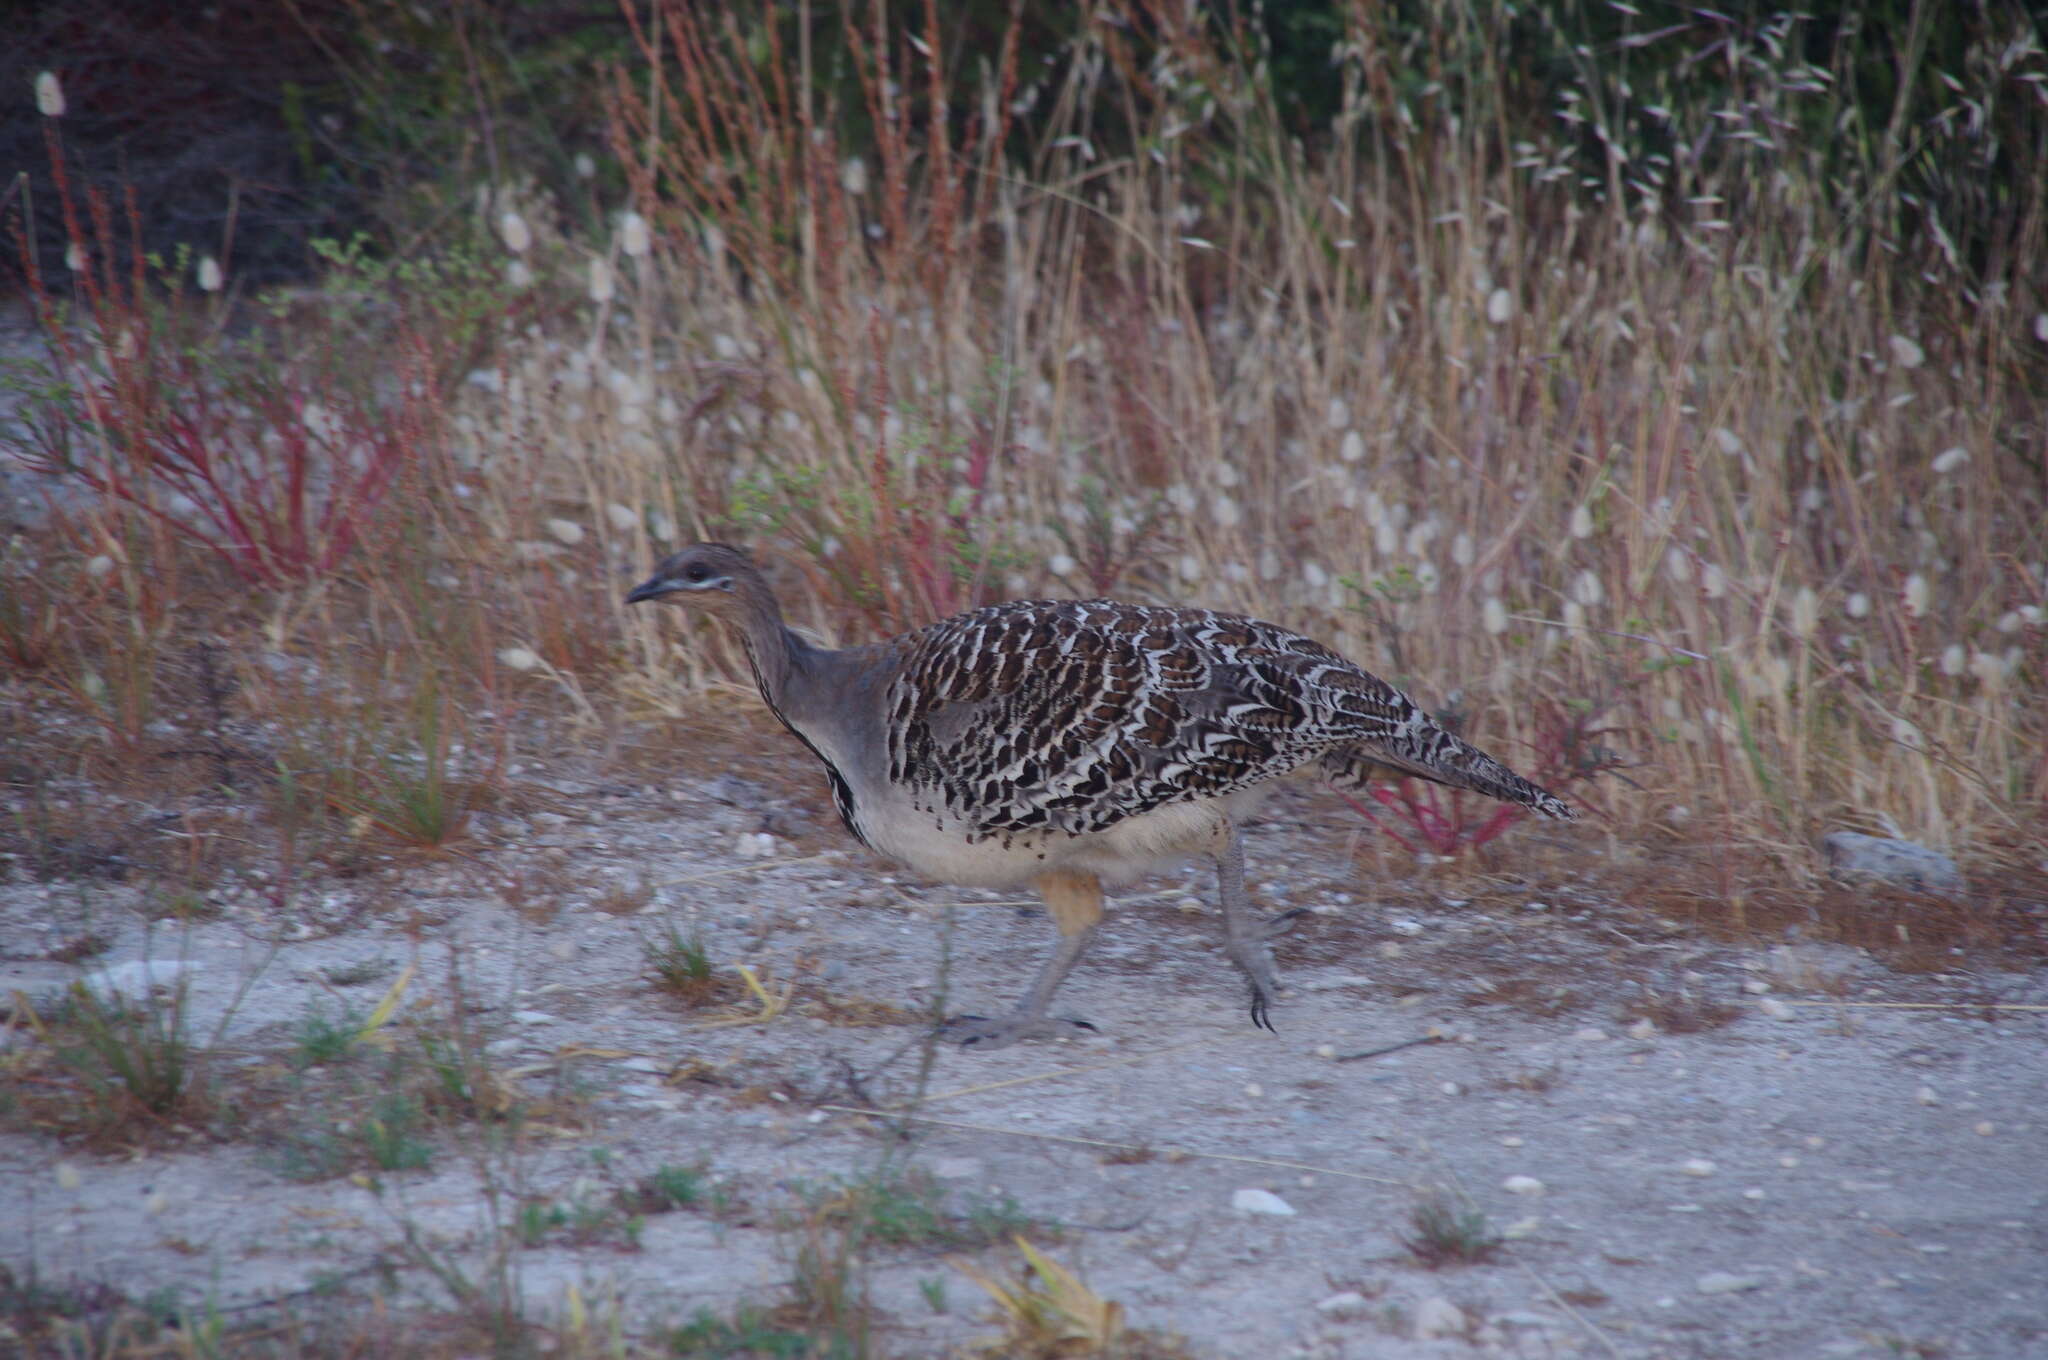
{"x":1818,"y":1177}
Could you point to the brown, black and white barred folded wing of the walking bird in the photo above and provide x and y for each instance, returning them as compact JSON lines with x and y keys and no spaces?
{"x":1074,"y":716}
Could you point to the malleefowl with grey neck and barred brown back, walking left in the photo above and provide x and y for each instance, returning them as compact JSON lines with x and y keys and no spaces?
{"x":1074,"y":745}
